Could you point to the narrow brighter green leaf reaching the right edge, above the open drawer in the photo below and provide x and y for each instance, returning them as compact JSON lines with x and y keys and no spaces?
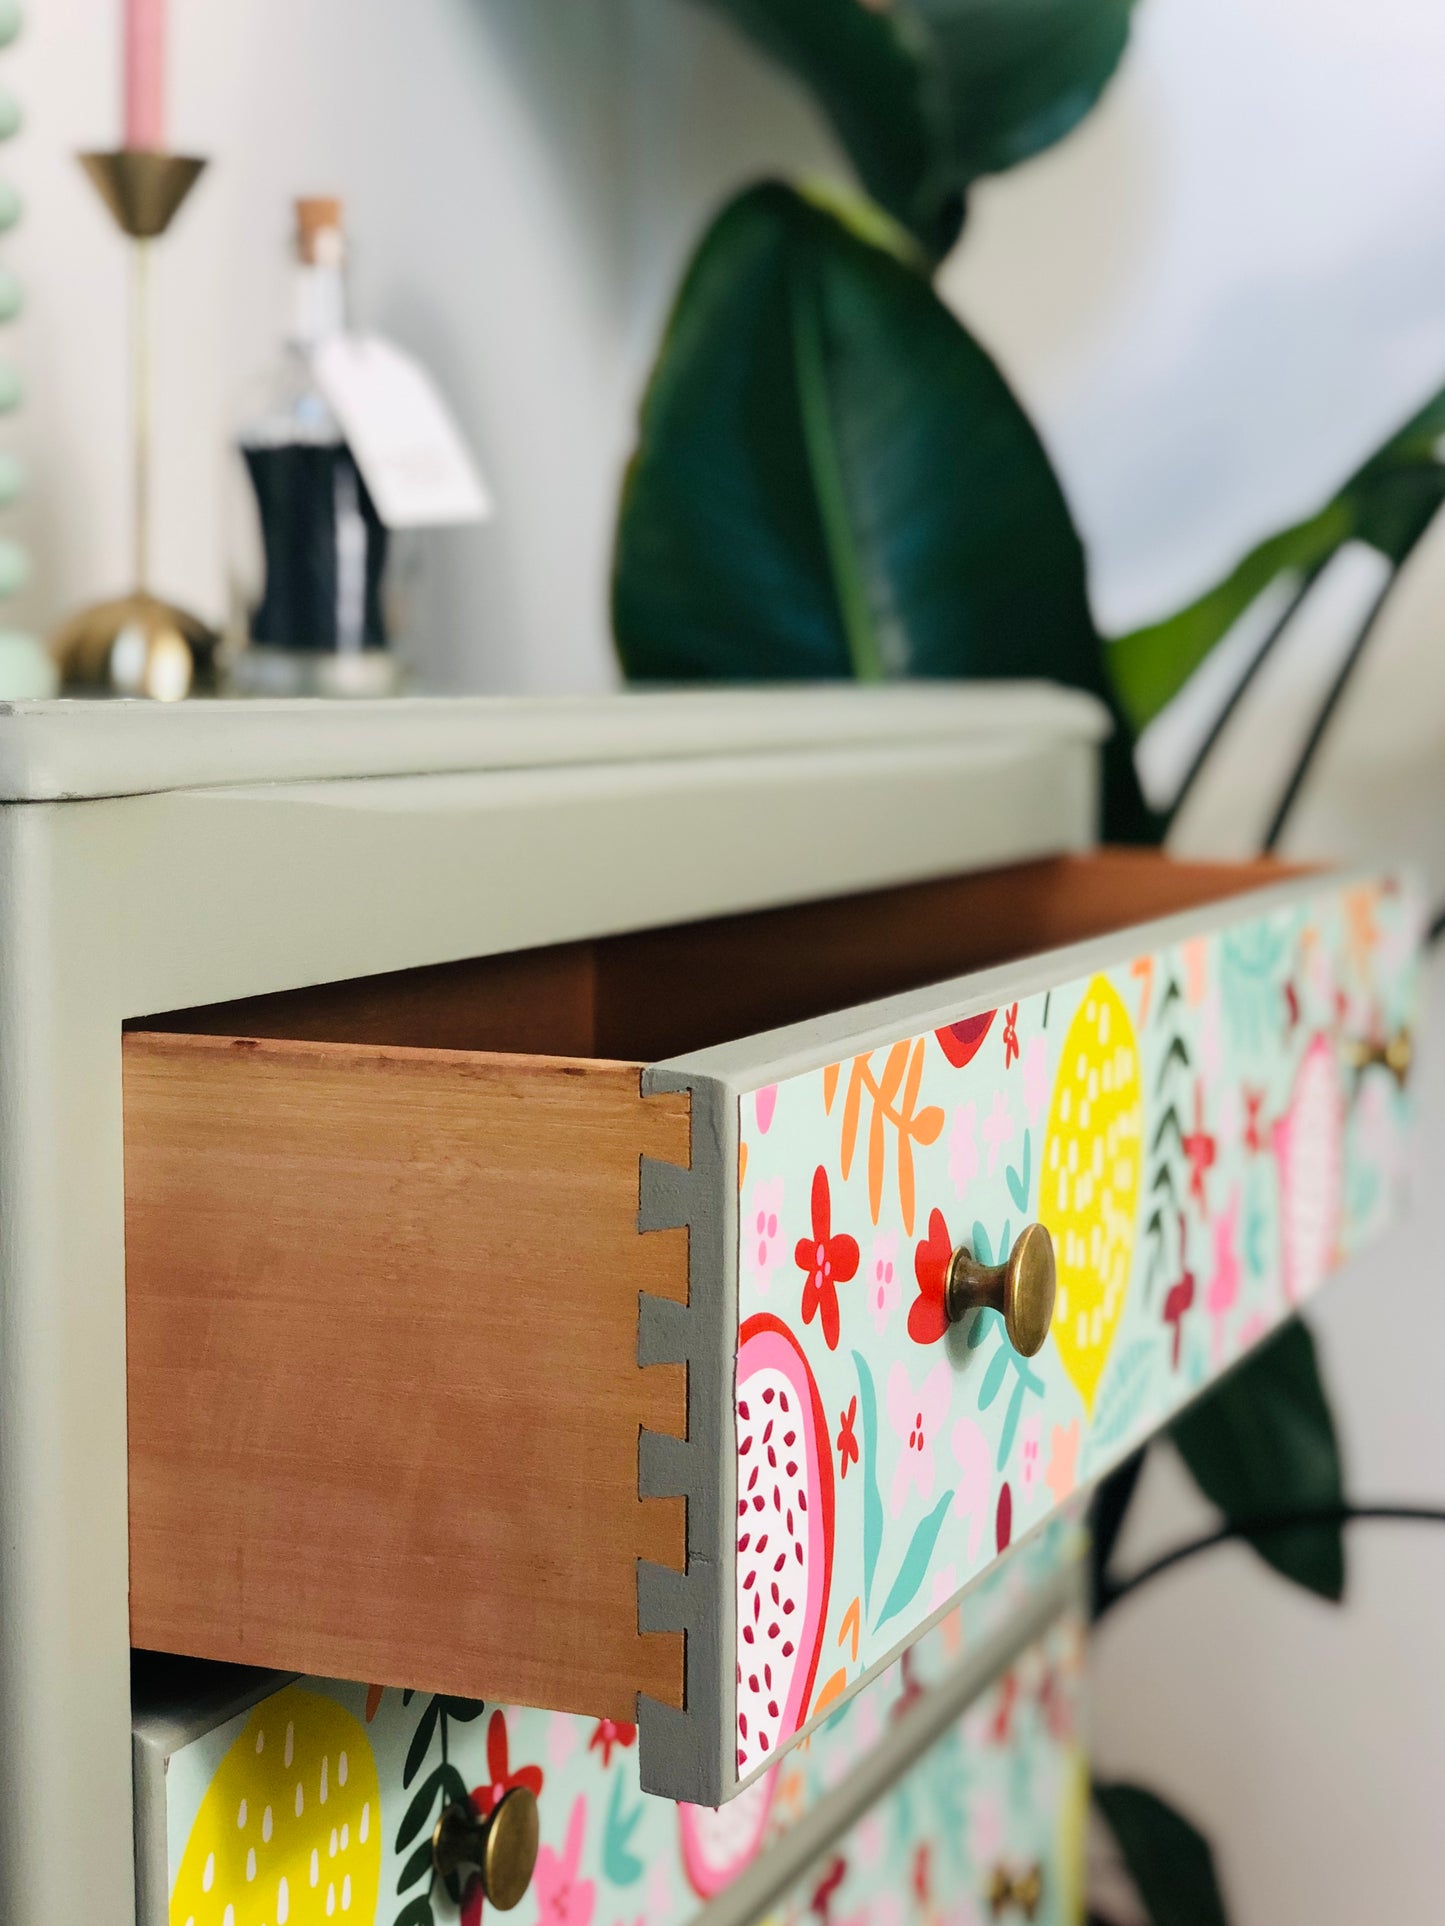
{"x":1388,"y":504}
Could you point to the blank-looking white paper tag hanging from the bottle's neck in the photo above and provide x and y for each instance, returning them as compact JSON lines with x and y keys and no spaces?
{"x":409,"y":450}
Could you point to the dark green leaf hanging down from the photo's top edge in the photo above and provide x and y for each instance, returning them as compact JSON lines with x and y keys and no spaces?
{"x":928,"y":95}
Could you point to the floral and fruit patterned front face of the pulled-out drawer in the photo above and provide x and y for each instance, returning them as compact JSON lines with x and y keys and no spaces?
{"x":1207,"y":1132}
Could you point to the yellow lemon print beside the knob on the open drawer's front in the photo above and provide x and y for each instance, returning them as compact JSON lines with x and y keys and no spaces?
{"x":1090,"y":1180}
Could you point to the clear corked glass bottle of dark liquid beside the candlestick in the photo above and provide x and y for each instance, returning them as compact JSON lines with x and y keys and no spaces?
{"x":317,"y":619}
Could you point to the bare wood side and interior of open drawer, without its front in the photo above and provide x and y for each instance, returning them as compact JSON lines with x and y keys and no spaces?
{"x":384,"y":1274}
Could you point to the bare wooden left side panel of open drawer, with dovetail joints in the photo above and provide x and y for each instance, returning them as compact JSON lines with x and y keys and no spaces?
{"x":382,"y":1359}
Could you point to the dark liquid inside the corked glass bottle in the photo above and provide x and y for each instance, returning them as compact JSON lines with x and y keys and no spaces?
{"x":325,"y":550}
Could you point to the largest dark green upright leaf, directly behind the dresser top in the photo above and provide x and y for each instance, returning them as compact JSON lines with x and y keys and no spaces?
{"x":835,"y":481}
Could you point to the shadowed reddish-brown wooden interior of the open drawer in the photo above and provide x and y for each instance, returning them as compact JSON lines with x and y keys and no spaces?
{"x":654,"y":995}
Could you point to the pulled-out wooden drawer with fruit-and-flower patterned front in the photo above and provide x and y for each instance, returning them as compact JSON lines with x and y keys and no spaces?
{"x":502,"y":1330}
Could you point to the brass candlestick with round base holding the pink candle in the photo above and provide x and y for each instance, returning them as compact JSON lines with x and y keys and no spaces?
{"x":140,"y":644}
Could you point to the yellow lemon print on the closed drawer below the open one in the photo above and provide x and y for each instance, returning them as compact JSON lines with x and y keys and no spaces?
{"x":290,"y":1831}
